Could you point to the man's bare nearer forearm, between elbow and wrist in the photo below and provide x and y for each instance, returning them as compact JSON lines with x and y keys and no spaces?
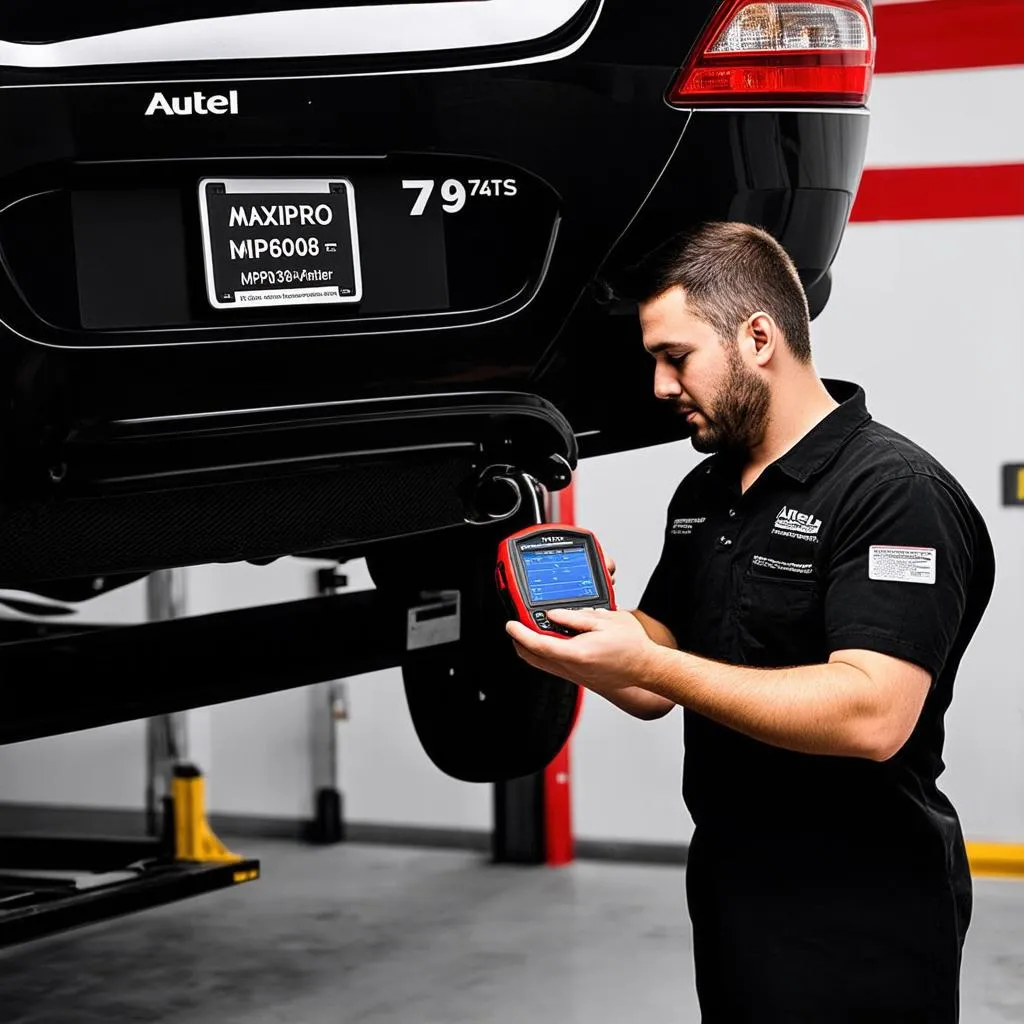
{"x":819,"y":709}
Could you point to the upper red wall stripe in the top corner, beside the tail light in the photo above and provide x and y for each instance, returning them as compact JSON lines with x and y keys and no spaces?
{"x":946,"y":34}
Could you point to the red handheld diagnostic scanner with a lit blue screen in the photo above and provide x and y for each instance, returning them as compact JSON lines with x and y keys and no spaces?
{"x":551,"y":566}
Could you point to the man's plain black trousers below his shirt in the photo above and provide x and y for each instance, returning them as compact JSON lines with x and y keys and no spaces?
{"x":816,"y":931}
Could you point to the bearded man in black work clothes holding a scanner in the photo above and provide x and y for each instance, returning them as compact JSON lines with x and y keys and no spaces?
{"x":821,"y":579}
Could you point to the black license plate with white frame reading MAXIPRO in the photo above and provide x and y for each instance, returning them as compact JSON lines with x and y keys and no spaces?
{"x":278,"y":242}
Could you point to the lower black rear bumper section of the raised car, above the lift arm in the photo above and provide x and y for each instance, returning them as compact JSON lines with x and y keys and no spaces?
{"x":132,"y":497}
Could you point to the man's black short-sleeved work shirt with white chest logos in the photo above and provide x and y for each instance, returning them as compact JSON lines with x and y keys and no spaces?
{"x":856,"y":539}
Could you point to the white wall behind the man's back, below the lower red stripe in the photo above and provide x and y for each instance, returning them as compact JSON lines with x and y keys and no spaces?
{"x":931,"y":329}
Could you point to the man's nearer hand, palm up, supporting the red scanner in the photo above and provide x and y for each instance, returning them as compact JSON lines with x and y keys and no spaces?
{"x":612,"y":653}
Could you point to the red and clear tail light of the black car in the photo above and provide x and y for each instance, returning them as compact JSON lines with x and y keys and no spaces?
{"x":773,"y":54}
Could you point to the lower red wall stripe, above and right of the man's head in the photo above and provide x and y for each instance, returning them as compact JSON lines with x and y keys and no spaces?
{"x":941,"y":193}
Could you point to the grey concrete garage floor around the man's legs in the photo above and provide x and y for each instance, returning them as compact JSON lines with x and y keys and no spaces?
{"x":373,"y":935}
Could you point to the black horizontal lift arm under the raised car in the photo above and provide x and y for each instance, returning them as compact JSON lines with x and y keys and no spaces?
{"x":96,"y":678}
